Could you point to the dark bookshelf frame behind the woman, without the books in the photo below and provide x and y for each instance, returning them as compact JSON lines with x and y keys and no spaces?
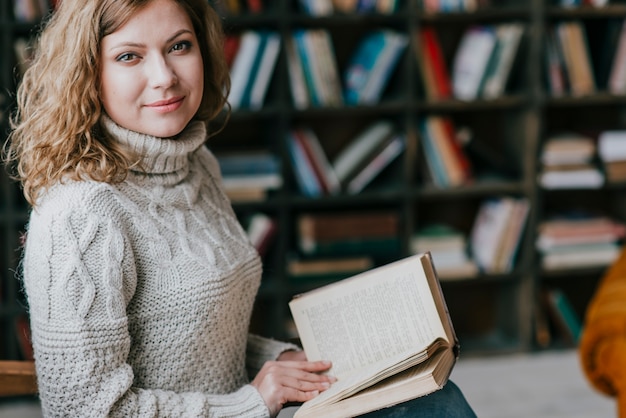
{"x":493,"y":313}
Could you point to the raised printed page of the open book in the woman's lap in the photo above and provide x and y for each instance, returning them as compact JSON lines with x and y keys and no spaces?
{"x":371,"y":317}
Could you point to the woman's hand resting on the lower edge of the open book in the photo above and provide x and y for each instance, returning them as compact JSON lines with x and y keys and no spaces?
{"x":284,"y":381}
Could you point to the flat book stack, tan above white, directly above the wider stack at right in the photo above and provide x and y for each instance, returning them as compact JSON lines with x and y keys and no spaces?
{"x":569,"y":162}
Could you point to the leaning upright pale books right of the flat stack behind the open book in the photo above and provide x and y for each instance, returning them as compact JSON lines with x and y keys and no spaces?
{"x":497,"y":232}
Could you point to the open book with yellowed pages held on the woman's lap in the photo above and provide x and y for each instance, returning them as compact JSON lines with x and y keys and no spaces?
{"x":387,"y":332}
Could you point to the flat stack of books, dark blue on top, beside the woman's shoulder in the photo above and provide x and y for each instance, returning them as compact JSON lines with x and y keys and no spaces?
{"x":249,"y":176}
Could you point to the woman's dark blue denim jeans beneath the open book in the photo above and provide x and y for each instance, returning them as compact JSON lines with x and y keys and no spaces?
{"x":448,"y":402}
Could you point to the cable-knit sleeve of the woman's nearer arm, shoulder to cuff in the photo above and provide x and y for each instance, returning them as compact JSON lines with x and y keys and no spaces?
{"x":79,"y":276}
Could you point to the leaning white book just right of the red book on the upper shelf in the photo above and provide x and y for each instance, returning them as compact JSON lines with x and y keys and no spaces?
{"x":471,"y":60}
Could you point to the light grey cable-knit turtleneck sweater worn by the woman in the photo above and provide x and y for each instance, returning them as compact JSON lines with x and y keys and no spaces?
{"x":140,"y":293}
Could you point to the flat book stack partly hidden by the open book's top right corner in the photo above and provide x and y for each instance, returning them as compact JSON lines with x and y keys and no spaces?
{"x":448,"y":247}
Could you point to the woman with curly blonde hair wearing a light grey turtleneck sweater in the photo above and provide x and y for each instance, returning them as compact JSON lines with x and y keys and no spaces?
{"x":139,"y":279}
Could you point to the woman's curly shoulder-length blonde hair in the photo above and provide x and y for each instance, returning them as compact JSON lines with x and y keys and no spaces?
{"x":56,"y":133}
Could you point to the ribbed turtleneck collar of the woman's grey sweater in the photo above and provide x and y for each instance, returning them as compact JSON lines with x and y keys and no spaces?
{"x":159,"y":156}
